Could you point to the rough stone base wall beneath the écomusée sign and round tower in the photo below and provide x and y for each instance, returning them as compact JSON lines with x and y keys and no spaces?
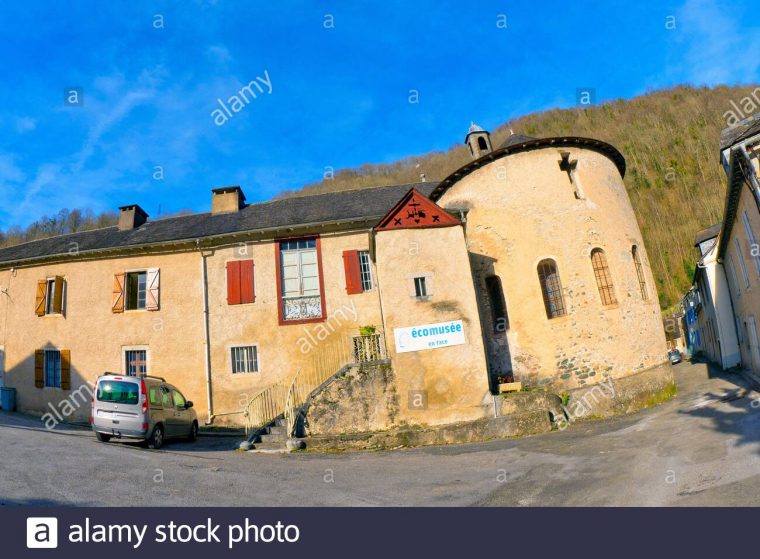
{"x":358,"y":410}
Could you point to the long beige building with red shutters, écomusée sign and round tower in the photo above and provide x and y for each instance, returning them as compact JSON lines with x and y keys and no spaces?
{"x":527,"y":263}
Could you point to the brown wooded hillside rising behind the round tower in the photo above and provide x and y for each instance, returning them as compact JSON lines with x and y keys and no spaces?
{"x":670,"y":141}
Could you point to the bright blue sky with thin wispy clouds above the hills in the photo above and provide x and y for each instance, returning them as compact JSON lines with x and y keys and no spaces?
{"x":341,"y":73}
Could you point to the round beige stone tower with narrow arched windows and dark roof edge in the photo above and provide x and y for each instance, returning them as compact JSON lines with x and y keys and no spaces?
{"x":563,"y":281}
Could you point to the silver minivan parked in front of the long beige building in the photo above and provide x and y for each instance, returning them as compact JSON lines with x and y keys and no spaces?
{"x":144,"y":408}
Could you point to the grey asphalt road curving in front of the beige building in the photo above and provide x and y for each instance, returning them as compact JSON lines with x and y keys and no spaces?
{"x":701,"y":448}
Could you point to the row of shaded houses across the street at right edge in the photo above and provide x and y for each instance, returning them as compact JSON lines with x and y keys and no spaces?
{"x":726,"y":291}
